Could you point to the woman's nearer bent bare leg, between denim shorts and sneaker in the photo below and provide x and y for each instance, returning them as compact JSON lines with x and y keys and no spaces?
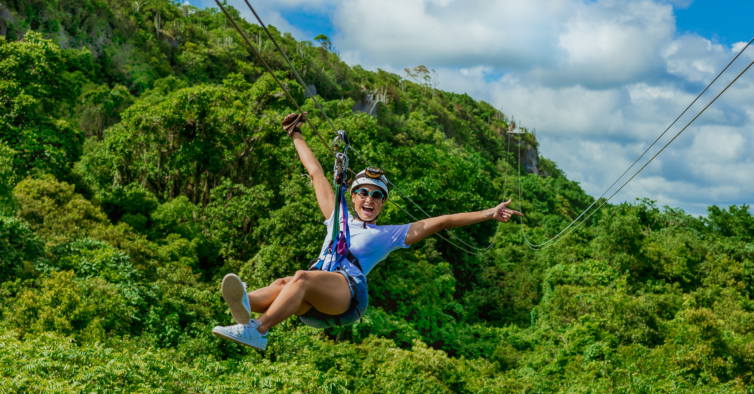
{"x":328,"y":292}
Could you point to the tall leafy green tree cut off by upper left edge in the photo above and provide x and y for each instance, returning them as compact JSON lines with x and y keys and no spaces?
{"x":33,"y":83}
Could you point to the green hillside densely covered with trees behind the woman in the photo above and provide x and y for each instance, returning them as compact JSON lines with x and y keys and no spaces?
{"x":141,"y":159}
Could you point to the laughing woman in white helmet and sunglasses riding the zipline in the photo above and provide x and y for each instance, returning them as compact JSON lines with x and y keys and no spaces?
{"x":319,"y":297}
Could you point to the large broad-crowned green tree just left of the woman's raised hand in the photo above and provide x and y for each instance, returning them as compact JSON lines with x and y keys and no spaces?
{"x":188,"y":143}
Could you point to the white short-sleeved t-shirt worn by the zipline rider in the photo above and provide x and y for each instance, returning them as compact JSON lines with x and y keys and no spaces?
{"x":371,"y":244}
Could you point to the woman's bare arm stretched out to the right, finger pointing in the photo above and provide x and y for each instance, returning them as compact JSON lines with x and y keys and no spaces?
{"x":424,"y":228}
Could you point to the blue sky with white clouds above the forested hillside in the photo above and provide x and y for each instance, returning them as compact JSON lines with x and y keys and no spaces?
{"x":598,"y":79}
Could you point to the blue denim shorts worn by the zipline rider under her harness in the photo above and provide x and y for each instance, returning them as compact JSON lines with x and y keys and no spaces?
{"x":356,"y":308}
